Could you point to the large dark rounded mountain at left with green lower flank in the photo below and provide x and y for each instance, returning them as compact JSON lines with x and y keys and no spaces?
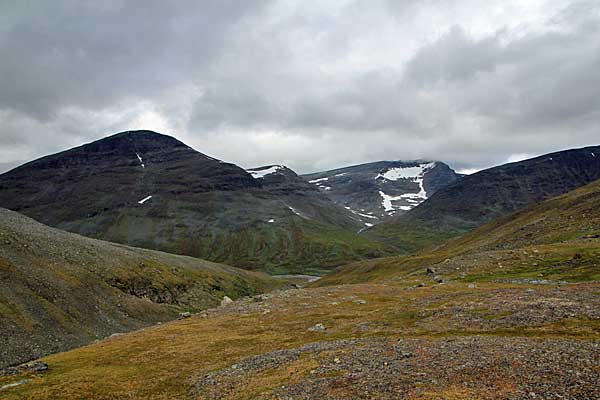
{"x":150,"y":190}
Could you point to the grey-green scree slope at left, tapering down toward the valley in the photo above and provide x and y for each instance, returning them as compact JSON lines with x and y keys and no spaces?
{"x":59,"y":290}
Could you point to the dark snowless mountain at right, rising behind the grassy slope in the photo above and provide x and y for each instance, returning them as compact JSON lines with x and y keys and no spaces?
{"x":479,"y":198}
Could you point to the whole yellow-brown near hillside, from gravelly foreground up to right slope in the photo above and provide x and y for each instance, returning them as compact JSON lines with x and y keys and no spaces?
{"x":508,"y":311}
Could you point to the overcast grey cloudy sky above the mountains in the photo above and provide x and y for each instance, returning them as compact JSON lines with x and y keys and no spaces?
{"x":310,"y":84}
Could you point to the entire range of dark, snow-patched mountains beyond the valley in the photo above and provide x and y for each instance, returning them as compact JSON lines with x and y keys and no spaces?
{"x":149,"y":190}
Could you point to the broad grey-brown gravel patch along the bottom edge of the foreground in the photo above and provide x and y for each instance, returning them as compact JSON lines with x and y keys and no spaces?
{"x":389,"y":368}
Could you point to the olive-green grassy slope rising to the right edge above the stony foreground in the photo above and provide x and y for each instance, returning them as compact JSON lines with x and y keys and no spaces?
{"x":552,"y":239}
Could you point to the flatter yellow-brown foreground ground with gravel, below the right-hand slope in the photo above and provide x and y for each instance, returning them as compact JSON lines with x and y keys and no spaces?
{"x":370,"y":341}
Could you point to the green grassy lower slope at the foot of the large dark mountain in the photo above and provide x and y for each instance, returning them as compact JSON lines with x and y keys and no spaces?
{"x":291,"y":245}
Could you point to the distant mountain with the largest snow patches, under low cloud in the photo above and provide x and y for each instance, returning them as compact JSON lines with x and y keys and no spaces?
{"x":381,"y":189}
